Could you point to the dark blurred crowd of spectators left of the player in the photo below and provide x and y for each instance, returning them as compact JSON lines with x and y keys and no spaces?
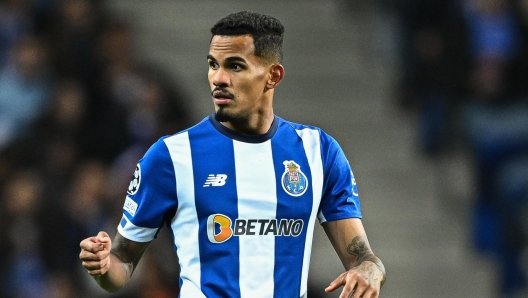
{"x":78,"y":109}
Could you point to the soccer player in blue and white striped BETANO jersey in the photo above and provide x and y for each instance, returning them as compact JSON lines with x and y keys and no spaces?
{"x":241,"y":190}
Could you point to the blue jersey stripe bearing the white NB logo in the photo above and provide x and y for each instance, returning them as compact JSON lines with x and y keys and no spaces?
{"x":218,"y":272}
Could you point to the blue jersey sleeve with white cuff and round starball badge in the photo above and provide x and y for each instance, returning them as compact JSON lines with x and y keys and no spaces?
{"x":151,"y":196}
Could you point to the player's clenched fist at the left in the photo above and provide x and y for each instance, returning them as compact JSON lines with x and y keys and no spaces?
{"x":95,"y":254}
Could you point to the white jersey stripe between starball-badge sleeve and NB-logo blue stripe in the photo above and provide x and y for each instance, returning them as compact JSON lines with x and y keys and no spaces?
{"x":185,"y":223}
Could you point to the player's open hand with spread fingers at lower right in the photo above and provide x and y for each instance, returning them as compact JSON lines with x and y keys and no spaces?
{"x":362,"y":281}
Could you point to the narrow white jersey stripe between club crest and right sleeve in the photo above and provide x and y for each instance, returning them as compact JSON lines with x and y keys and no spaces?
{"x":312,"y":146}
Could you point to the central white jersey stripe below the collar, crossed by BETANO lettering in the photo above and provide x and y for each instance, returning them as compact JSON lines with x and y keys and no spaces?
{"x":254,"y":162}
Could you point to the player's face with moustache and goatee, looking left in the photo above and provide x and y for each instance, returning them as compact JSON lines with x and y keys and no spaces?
{"x":237,"y":78}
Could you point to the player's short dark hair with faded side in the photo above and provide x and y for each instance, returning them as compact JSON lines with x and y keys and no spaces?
{"x":267,"y":32}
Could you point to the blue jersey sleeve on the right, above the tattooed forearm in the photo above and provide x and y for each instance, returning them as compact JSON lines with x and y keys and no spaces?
{"x":340,"y":196}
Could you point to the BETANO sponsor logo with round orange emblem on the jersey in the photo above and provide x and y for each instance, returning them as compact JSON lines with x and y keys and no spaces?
{"x":221,"y":228}
